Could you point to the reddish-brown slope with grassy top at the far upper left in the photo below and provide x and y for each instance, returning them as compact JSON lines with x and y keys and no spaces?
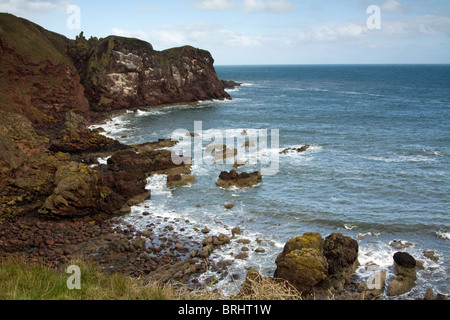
{"x":37,"y":77}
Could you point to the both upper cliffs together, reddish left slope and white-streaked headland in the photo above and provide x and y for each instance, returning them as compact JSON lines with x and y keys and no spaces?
{"x":43,"y":75}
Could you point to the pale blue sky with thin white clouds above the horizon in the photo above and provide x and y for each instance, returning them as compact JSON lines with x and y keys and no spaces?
{"x":243,"y":32}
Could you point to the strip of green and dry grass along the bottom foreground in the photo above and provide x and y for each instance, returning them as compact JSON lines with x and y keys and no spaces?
{"x":22,"y":280}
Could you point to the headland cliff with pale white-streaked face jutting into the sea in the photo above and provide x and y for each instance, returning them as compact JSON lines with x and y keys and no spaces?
{"x":120,"y":72}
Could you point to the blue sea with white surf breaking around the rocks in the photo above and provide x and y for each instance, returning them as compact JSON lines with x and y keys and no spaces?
{"x":377,"y":169}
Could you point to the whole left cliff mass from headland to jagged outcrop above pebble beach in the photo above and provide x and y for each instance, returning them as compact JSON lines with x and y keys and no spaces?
{"x":52,"y":87}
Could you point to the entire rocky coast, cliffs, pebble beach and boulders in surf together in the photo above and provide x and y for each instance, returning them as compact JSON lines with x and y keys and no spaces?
{"x":58,"y":203}
